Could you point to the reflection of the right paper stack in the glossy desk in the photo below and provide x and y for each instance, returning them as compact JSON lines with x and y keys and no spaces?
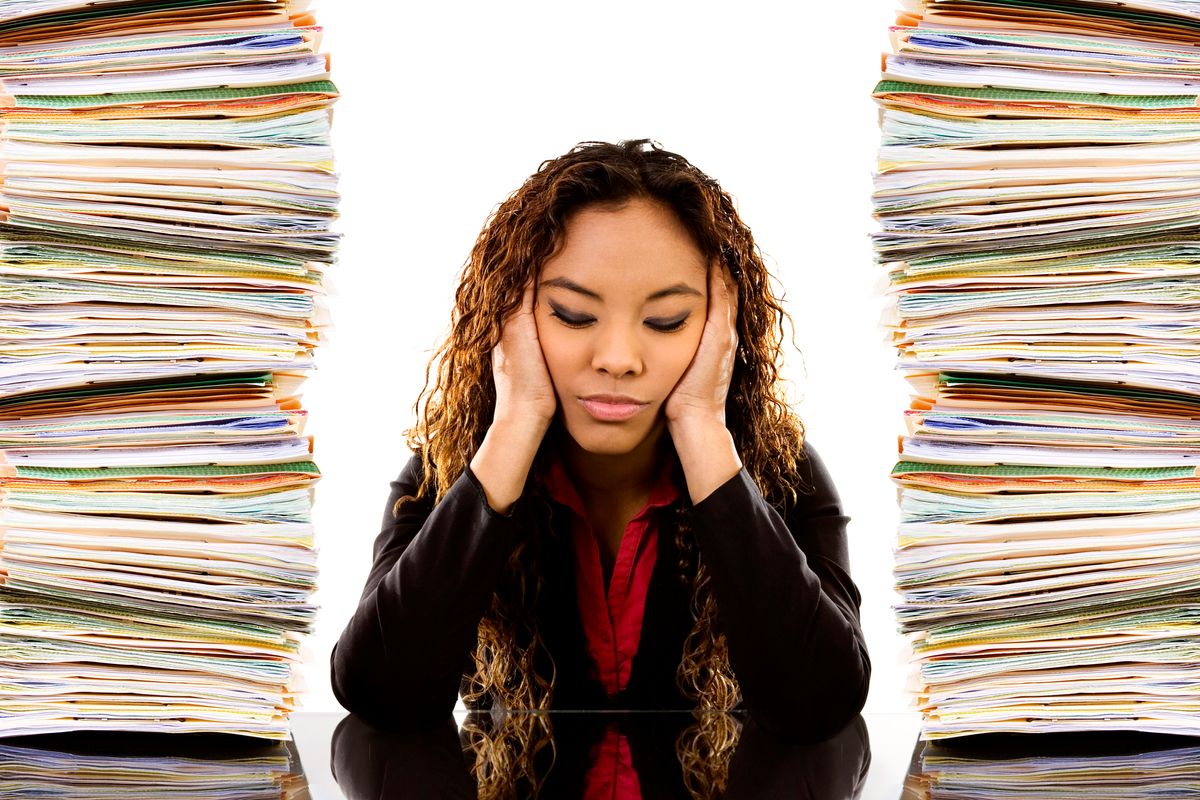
{"x":1103,"y":766}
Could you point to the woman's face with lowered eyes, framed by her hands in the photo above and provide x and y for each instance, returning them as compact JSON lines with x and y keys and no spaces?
{"x":621,"y":309}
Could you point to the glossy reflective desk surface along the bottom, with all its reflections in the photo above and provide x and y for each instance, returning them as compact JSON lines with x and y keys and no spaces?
{"x":339,"y":757}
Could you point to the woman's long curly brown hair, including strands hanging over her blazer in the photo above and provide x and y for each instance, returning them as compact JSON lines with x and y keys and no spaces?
{"x":454,"y":414}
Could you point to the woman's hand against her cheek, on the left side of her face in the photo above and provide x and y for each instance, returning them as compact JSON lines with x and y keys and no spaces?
{"x":525,"y":394}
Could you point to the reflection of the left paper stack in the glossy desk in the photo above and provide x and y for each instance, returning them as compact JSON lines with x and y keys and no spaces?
{"x":122,"y":766}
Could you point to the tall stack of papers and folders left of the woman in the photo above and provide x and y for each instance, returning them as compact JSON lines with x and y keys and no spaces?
{"x":167,"y":204}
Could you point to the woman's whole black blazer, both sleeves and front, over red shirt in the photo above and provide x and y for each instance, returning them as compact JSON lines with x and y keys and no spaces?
{"x":781,"y":578}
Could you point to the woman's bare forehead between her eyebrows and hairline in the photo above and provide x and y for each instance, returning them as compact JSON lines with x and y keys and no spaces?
{"x":638,"y":244}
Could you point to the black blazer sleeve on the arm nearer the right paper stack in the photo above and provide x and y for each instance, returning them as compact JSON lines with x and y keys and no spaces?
{"x":787,"y":603}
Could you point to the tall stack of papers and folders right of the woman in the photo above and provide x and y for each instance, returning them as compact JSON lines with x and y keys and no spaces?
{"x":1039,"y":191}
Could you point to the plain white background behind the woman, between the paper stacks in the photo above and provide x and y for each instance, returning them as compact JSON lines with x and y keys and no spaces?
{"x":446,"y":110}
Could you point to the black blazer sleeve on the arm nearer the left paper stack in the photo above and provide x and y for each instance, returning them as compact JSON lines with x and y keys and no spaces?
{"x":400,"y":660}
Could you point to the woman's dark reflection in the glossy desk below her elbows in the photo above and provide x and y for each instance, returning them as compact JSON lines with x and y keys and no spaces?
{"x":593,"y":755}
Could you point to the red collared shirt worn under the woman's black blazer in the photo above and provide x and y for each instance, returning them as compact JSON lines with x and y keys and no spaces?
{"x":613,"y":619}
